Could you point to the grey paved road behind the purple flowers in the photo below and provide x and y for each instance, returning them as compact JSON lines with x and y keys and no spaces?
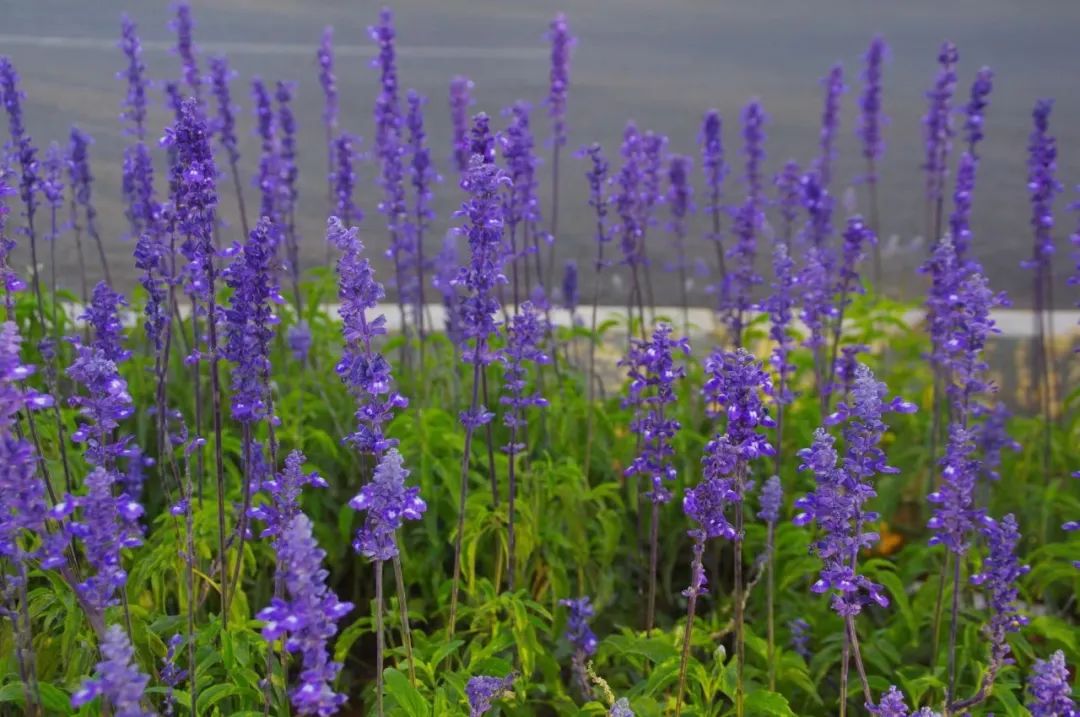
{"x":660,"y":63}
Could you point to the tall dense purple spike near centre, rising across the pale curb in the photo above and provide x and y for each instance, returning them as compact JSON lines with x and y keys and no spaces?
{"x":481,"y":277}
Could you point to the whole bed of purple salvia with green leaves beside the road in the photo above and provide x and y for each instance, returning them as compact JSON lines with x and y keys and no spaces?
{"x":213,"y":452}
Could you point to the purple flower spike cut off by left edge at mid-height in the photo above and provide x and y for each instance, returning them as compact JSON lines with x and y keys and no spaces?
{"x":23,"y":508}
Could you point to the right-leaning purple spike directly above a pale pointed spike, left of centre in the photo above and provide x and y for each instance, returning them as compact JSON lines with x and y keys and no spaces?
{"x":364,"y":371}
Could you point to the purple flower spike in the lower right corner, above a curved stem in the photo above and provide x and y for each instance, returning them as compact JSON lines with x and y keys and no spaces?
{"x":1000,"y":576}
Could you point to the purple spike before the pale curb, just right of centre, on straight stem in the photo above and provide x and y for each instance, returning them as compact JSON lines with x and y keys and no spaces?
{"x":653,"y":374}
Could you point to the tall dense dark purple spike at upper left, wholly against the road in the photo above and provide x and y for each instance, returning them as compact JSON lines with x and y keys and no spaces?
{"x":196,"y":200}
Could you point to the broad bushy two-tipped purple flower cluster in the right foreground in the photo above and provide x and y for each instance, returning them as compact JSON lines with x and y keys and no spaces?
{"x":838,"y":506}
